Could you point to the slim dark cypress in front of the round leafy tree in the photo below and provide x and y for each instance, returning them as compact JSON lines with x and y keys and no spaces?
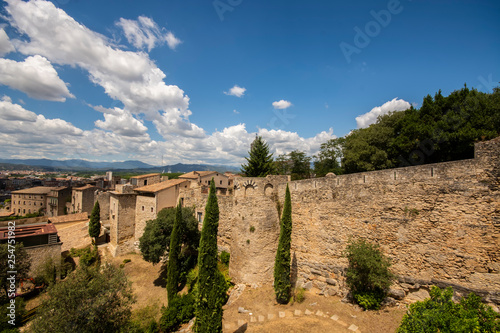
{"x":173,"y":268}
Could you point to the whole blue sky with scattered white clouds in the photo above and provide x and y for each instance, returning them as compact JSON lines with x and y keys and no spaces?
{"x":195,"y":81}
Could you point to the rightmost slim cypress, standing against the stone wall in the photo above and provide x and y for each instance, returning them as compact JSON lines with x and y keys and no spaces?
{"x":282,"y":284}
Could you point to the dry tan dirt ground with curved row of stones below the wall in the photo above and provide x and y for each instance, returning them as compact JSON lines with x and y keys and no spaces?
{"x":315,"y":314}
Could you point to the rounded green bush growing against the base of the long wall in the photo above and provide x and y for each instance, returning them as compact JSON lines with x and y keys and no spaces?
{"x":368,"y":275}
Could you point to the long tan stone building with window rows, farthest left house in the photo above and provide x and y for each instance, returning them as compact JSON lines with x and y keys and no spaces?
{"x":30,"y":200}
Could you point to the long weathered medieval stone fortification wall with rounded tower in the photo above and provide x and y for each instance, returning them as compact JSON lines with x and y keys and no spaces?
{"x":439,"y":223}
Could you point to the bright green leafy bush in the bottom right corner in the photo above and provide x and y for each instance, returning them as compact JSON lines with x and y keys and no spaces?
{"x":440,"y":314}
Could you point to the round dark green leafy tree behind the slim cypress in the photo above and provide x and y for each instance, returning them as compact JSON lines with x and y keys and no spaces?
{"x":155,"y":241}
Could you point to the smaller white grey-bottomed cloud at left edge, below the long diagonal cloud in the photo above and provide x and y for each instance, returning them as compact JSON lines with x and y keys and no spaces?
{"x":36,"y":77}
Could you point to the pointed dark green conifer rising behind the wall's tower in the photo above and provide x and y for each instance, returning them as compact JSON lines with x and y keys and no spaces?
{"x":260,"y":160}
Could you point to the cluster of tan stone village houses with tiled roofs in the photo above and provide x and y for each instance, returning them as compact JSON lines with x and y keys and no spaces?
{"x":125,"y":208}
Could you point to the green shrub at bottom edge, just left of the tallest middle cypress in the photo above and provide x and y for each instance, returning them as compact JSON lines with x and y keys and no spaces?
{"x":180,"y":310}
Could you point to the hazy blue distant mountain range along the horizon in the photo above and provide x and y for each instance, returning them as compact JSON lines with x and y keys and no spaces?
{"x":82,"y":165}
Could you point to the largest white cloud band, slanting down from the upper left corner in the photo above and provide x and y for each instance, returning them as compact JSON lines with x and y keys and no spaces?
{"x":129,"y":77}
